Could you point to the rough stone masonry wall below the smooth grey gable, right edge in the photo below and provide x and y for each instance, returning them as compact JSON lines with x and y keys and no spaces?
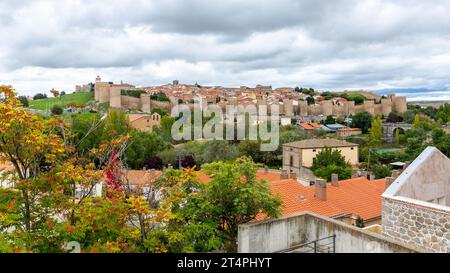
{"x":417,"y":225}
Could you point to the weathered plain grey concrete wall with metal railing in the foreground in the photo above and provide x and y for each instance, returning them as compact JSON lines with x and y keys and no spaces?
{"x":285,"y":232}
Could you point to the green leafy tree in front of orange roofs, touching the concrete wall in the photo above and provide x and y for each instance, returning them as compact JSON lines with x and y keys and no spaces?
{"x":235,"y":196}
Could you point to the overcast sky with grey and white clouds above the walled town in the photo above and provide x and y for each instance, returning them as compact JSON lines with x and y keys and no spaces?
{"x":323,"y":44}
